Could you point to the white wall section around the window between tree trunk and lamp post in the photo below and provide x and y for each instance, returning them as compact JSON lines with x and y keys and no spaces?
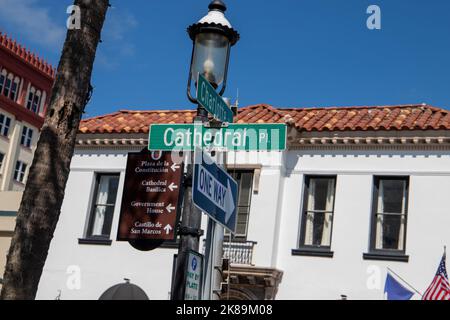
{"x":101,"y":266}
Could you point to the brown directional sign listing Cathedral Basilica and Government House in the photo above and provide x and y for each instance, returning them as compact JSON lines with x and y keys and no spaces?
{"x":151,"y":197}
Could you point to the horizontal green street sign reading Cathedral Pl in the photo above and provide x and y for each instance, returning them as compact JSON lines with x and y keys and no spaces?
{"x":235,"y":137}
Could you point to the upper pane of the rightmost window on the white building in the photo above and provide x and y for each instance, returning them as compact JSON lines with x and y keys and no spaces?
{"x":392,"y":194}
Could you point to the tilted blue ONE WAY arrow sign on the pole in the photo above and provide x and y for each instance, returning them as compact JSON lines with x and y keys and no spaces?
{"x":215,"y":193}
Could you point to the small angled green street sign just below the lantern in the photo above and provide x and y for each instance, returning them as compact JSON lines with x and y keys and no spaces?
{"x":209,"y":99}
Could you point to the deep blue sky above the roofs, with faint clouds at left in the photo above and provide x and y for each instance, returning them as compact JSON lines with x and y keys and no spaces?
{"x":292,"y":53}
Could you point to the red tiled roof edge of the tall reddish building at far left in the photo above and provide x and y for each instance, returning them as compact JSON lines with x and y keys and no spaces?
{"x":26,"y":55}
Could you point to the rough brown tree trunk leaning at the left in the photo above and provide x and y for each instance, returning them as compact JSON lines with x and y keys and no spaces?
{"x":44,"y":192}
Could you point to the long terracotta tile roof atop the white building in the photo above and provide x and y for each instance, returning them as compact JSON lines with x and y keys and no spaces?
{"x":378,"y":118}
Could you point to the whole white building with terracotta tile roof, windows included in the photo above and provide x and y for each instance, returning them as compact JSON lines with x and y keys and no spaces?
{"x":359,"y":190}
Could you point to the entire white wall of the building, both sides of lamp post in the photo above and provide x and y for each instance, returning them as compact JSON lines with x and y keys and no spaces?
{"x":274,"y":224}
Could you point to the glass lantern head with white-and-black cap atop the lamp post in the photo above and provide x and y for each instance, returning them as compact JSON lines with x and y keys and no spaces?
{"x":213,"y":36}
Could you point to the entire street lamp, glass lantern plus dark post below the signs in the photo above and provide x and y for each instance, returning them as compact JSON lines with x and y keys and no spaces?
{"x":212,"y":36}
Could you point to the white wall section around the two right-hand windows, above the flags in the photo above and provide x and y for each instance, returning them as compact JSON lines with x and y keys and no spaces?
{"x":347,"y":273}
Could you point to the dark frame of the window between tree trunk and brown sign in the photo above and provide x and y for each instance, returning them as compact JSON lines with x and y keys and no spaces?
{"x":93,"y":206}
